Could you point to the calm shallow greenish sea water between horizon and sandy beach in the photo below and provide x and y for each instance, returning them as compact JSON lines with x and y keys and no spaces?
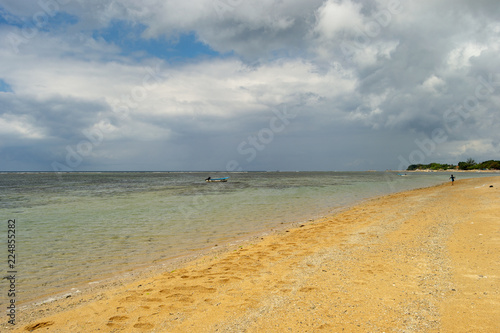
{"x":85,"y":226}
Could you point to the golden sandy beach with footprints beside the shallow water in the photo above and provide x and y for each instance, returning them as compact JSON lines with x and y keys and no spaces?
{"x":419,"y":261}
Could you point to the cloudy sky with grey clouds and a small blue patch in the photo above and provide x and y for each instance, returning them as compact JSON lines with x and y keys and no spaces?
{"x":238,"y":85}
